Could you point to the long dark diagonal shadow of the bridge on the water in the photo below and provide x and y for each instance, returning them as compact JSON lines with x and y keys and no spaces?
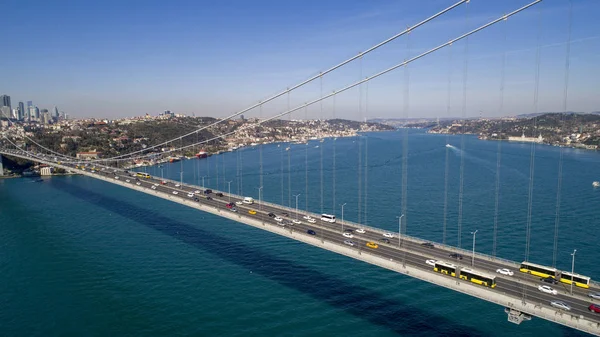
{"x":359,"y":301}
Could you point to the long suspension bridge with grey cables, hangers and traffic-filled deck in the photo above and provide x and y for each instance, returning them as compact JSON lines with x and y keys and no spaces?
{"x":510,"y":284}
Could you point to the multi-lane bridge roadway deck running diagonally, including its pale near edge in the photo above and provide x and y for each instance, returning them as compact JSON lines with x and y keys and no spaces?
{"x":409,"y":252}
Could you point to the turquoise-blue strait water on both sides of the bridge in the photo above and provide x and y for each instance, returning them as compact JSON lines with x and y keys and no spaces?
{"x":83,"y":257}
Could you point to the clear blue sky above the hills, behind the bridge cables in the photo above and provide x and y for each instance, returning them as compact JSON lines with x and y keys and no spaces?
{"x":115,"y":58}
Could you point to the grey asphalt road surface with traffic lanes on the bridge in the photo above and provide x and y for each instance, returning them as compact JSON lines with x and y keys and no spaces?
{"x":520,"y":286}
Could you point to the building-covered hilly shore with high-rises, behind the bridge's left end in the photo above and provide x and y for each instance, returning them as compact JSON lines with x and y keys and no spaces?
{"x":94,"y":139}
